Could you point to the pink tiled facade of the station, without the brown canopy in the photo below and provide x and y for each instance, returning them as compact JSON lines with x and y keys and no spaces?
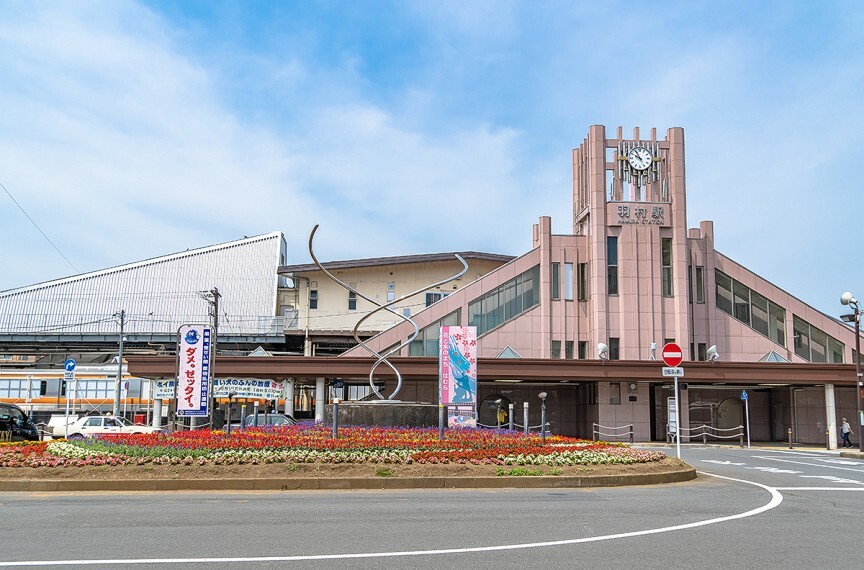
{"x":659,"y":297}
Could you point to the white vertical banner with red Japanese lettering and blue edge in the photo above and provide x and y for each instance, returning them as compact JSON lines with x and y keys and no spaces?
{"x":193,"y":370}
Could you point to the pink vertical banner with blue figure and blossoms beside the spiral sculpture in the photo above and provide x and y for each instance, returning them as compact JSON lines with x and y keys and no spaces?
{"x":457,"y":375}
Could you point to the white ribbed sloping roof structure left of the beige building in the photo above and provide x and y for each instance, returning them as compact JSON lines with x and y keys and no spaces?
{"x":158,"y":295}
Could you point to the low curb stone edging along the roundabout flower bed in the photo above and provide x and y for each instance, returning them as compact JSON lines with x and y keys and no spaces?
{"x":345,"y":484}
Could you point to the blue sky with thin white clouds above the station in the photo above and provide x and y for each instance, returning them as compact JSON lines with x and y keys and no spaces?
{"x":137,"y":129}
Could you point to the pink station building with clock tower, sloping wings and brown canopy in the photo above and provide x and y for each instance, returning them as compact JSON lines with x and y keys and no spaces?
{"x":630,"y":277}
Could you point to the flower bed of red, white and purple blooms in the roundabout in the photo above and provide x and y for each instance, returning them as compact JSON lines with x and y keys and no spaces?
{"x":314,"y":444}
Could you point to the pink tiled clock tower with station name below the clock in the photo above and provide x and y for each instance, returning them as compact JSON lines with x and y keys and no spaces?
{"x":629,"y":203}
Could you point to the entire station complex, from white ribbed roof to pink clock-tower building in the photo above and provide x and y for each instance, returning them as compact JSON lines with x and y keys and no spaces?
{"x":580,"y":316}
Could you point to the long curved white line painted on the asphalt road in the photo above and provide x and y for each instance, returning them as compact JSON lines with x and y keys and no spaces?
{"x":776,"y":499}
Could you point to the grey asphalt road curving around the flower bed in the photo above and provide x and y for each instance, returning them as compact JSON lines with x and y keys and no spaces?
{"x":748,"y":508}
